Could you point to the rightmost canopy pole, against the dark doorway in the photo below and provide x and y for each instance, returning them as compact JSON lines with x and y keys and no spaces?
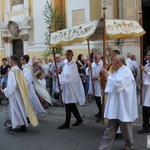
{"x":141,"y":58}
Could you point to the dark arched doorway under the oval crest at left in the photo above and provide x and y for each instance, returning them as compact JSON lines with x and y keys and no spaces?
{"x":18,"y":49}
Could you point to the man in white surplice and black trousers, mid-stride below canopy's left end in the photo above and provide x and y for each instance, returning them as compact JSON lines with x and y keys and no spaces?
{"x":72,"y":91}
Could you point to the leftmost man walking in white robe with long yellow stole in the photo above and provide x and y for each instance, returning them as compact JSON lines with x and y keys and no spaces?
{"x":17,"y":94}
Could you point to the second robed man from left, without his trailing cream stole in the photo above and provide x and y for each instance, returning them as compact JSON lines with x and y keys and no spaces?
{"x":34,"y":100}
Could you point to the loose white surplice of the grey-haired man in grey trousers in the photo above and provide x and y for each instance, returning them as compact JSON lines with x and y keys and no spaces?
{"x":122,"y":99}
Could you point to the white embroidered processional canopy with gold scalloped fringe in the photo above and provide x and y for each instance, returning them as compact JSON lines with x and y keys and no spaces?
{"x":94,"y":31}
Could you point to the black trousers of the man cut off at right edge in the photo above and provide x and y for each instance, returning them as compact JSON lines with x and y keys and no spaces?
{"x":146,"y":116}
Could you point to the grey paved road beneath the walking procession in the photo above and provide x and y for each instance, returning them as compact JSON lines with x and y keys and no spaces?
{"x":46,"y":136}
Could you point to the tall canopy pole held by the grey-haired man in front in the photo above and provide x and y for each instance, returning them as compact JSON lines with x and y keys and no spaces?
{"x":104,"y":60}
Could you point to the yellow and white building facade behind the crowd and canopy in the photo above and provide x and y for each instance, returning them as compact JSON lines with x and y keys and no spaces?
{"x":22,"y":26}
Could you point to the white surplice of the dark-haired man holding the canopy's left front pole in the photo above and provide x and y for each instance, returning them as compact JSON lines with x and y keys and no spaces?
{"x":72,"y":86}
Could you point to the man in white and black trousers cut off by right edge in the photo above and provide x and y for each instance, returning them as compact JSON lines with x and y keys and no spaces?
{"x":146,"y":96}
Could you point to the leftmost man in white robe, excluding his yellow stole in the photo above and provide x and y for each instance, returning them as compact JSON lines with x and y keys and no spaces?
{"x":17,"y":111}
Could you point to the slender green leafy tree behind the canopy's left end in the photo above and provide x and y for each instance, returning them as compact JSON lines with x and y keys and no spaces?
{"x":54,"y":20}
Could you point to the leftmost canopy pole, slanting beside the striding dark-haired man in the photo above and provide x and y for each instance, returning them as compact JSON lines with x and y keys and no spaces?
{"x":60,"y":91}
